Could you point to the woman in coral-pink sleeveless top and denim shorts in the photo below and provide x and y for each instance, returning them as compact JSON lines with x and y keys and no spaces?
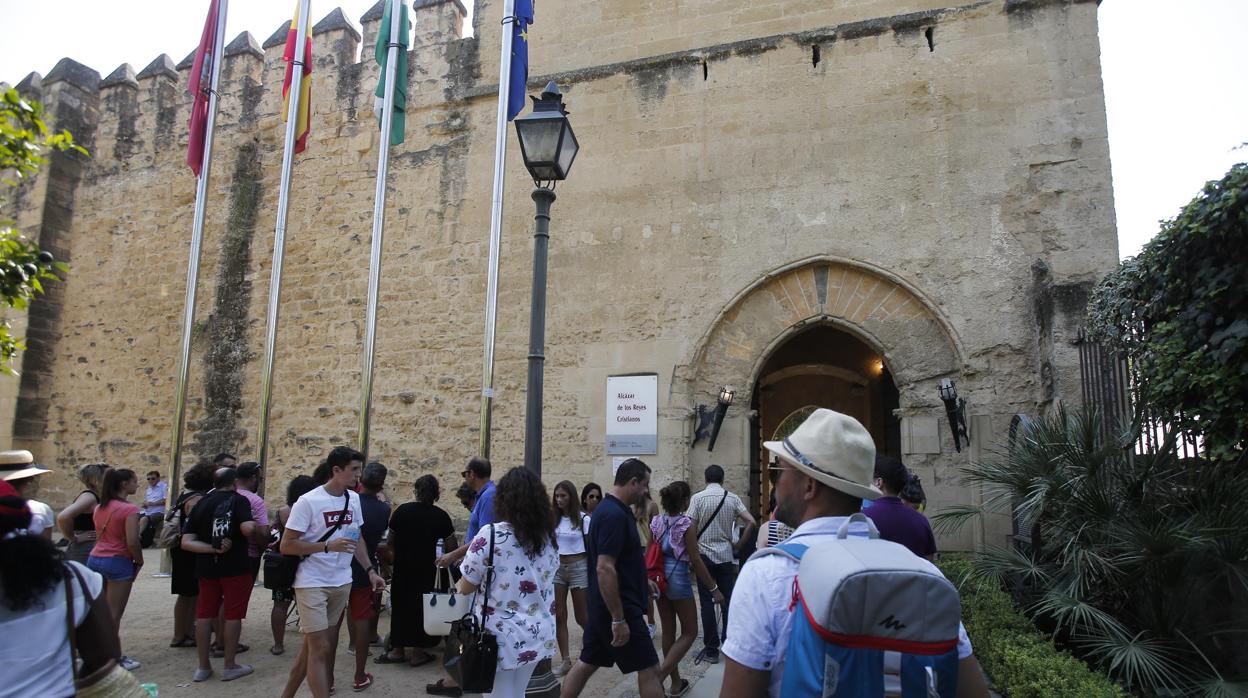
{"x":118,"y":554}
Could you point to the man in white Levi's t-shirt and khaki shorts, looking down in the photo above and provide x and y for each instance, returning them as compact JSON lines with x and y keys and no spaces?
{"x":325,"y":528}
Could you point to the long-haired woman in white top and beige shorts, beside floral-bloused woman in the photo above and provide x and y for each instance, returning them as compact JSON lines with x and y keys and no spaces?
{"x":570,"y":533}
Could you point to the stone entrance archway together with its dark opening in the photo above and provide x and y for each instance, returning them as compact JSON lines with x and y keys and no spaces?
{"x":817,"y":320}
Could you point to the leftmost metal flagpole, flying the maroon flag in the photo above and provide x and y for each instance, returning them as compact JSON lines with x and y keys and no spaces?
{"x":193,"y":270}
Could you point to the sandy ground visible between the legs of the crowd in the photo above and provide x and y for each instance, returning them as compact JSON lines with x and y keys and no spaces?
{"x":148,"y":629}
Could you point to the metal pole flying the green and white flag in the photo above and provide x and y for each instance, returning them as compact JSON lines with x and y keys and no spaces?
{"x":375,"y":260}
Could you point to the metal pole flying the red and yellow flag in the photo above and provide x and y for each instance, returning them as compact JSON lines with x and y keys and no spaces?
{"x":284,"y":200}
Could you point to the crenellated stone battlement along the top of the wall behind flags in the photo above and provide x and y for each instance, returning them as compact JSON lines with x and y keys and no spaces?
{"x":143,"y":116}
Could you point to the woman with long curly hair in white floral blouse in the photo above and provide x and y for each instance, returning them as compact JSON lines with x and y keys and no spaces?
{"x":515,"y":601}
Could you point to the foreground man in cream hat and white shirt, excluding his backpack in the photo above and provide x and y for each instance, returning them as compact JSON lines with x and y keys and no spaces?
{"x":824,"y":473}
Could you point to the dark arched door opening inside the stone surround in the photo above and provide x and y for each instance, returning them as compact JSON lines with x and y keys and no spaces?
{"x":821,"y":366}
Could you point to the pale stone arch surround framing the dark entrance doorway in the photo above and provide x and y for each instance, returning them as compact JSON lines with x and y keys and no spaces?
{"x":879,"y":310}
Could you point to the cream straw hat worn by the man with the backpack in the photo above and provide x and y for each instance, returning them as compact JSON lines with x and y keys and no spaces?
{"x":836,"y":450}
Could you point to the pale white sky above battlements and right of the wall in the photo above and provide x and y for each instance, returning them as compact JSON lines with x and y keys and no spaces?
{"x":1175,"y":78}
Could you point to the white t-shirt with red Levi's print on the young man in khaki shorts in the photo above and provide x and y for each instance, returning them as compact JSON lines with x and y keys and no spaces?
{"x":315,"y":514}
